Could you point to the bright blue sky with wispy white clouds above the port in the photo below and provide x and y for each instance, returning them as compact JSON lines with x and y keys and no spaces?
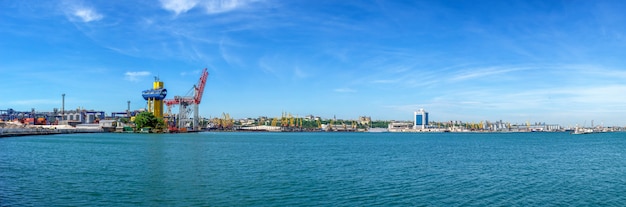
{"x":558,"y":62}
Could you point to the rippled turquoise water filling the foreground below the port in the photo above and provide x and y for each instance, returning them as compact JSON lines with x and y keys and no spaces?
{"x":314,"y":169}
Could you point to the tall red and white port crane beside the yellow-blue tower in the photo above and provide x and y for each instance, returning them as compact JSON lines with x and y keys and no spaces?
{"x":184,"y":102}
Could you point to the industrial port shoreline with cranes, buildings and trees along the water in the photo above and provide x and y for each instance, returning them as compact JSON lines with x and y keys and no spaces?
{"x":18,"y":123}
